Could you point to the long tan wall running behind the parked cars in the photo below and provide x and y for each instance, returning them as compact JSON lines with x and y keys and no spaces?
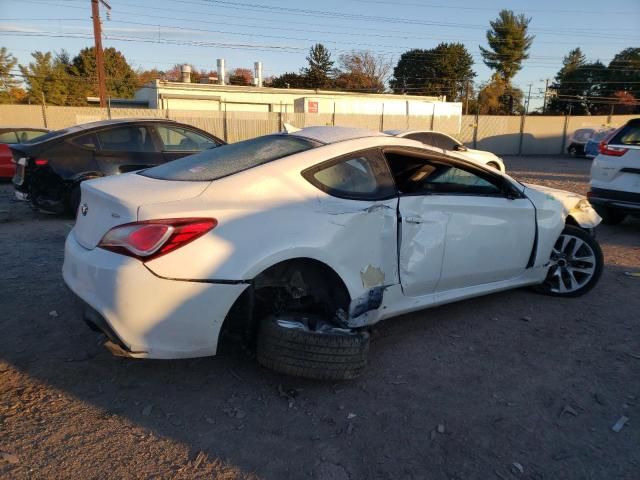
{"x":503,"y":135}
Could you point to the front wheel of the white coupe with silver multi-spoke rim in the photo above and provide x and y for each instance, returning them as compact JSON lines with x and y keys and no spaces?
{"x":576,"y":264}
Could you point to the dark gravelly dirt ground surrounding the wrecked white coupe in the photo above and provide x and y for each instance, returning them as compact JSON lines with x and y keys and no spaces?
{"x":511,"y":385}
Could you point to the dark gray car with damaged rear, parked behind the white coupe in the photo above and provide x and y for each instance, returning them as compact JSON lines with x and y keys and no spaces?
{"x":49,"y":169}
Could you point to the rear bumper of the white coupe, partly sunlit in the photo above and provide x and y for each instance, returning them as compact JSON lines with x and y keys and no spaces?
{"x":145,"y":316}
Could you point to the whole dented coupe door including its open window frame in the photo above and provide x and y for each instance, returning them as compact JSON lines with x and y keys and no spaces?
{"x":460,"y":226}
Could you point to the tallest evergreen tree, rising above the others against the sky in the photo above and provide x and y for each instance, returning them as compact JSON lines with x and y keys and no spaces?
{"x":509,"y":44}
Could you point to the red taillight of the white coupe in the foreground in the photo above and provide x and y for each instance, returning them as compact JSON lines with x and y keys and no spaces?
{"x":153,"y":238}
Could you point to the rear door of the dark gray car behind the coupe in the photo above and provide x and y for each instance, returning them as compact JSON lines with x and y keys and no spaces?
{"x":125,"y":148}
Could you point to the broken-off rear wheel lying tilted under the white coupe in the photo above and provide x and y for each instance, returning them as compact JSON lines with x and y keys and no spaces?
{"x":307,"y":346}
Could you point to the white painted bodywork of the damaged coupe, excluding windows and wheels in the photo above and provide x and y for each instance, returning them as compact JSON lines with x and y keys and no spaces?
{"x":410,"y":252}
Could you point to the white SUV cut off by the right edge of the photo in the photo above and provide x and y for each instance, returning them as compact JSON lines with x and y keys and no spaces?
{"x":615,"y":175}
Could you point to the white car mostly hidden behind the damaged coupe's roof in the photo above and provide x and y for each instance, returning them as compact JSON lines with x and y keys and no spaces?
{"x":449,"y":145}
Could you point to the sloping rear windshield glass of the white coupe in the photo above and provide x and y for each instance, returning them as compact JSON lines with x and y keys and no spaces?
{"x":229,"y":159}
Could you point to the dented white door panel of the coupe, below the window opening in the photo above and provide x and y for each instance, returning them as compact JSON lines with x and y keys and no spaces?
{"x":456,"y":241}
